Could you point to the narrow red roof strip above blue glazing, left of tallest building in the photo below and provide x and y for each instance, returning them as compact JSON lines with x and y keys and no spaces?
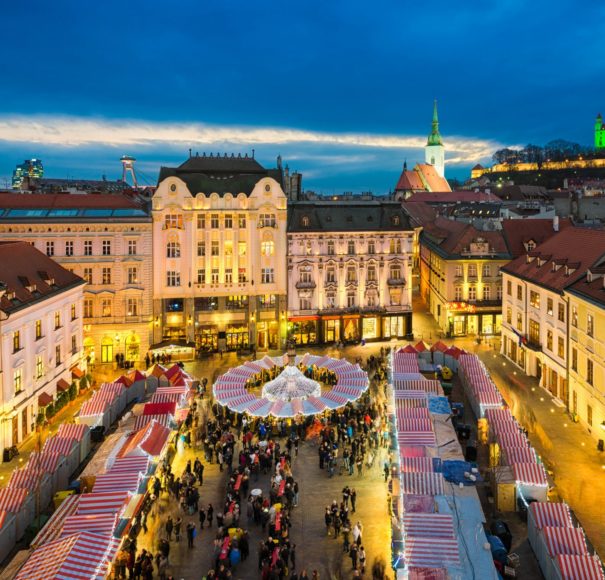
{"x":64,"y":200}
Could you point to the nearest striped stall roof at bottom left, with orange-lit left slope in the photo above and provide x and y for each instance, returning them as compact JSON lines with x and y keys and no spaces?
{"x":83,"y":556}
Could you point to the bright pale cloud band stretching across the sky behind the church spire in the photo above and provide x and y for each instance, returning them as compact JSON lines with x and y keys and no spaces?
{"x":72,"y":132}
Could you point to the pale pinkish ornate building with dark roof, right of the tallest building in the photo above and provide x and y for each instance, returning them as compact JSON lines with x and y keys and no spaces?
{"x":349,"y":271}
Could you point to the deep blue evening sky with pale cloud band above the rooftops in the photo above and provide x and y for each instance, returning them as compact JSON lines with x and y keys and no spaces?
{"x":343,"y":90}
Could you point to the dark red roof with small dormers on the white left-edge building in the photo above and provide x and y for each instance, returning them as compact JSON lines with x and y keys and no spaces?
{"x":23,"y":265}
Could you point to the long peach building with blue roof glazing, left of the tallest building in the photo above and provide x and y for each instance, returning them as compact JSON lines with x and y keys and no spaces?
{"x":106,"y":240}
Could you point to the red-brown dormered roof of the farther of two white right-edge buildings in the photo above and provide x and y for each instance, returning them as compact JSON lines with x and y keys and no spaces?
{"x":584,"y":247}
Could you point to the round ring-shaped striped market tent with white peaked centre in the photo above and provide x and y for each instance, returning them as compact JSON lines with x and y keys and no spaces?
{"x":286,"y":390}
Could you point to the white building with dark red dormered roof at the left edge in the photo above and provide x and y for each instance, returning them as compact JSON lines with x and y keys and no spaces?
{"x":41,"y":335}
